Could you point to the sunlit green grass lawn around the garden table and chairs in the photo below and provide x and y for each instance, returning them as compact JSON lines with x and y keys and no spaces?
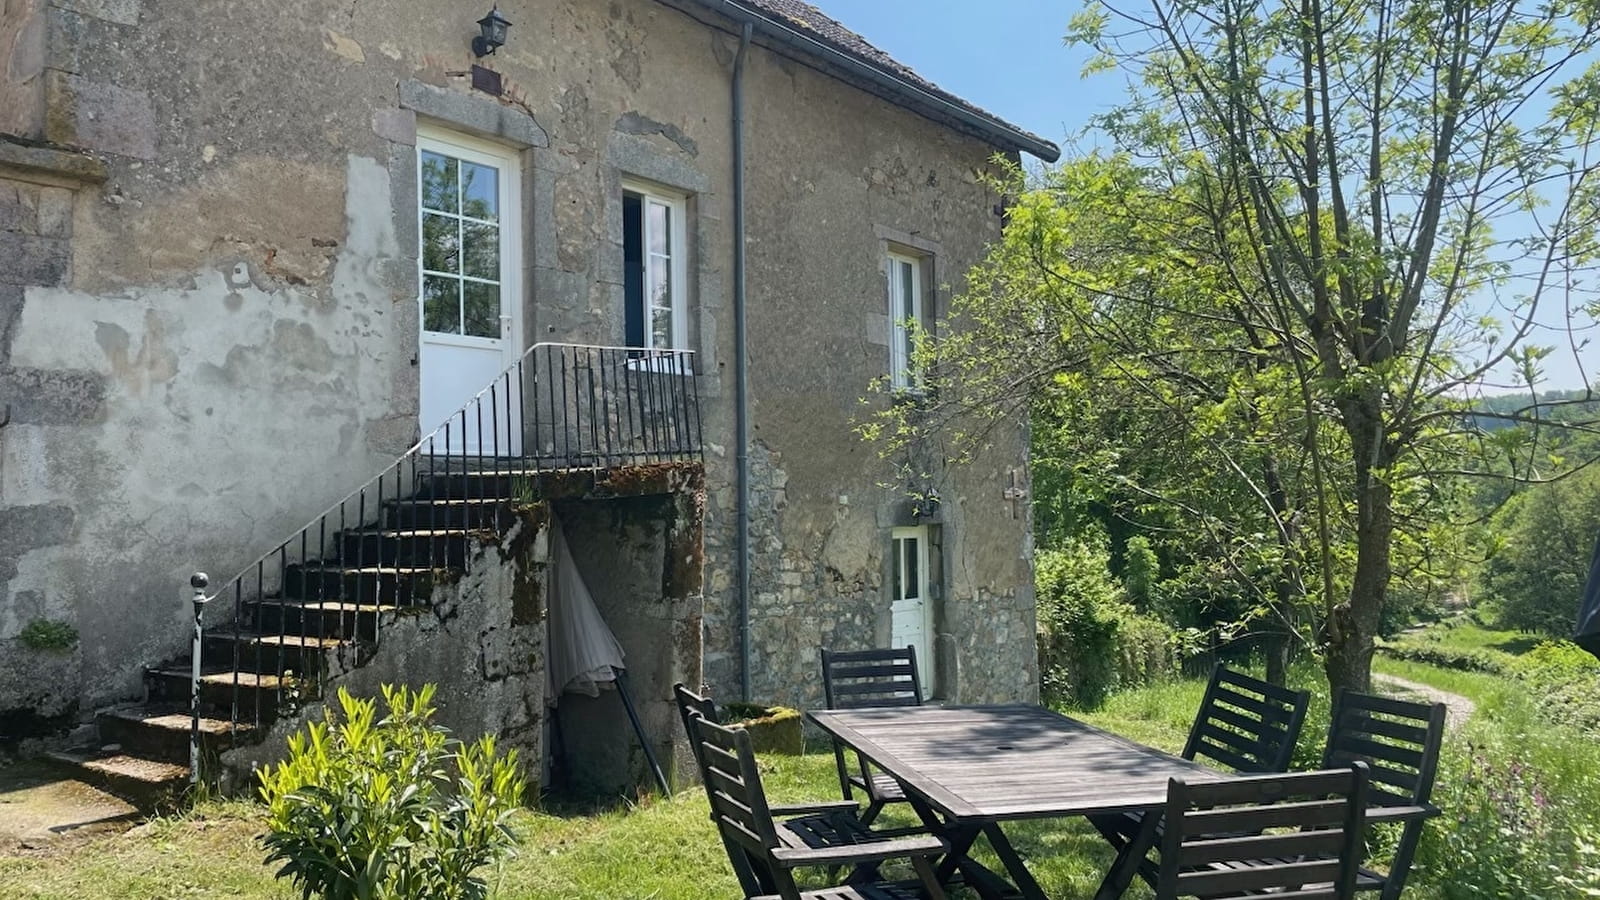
{"x":666,"y":850}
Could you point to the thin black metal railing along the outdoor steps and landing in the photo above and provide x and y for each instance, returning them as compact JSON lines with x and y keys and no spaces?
{"x":591,"y":408}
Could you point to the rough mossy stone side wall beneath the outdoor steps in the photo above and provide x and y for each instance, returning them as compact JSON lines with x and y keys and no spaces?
{"x":481,"y":641}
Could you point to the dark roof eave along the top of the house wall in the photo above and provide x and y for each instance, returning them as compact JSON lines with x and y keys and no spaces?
{"x":887,"y":82}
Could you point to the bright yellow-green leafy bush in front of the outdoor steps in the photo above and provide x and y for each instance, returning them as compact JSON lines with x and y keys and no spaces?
{"x":390,"y":810}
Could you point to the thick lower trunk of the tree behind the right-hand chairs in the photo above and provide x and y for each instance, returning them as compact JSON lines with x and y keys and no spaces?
{"x":1353,"y":627}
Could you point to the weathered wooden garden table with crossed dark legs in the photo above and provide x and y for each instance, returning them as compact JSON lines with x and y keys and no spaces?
{"x":967,"y":769}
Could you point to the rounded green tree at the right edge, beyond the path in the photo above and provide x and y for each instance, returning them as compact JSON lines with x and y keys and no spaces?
{"x":1537,"y":577}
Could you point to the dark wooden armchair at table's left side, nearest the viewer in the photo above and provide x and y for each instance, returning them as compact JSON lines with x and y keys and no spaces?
{"x":767,"y":851}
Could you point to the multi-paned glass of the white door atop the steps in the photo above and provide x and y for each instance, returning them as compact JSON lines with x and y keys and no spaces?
{"x":462,"y":246}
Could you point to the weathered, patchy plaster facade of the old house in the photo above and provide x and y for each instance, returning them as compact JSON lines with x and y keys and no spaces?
{"x":231,"y":345}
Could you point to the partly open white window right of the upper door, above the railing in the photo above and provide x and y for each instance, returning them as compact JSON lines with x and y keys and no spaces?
{"x":655,"y":265}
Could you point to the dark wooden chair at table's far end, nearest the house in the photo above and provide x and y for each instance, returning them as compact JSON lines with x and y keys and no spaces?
{"x":854,"y":680}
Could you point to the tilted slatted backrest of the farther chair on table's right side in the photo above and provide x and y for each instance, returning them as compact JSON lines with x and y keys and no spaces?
{"x":1247,"y":725}
